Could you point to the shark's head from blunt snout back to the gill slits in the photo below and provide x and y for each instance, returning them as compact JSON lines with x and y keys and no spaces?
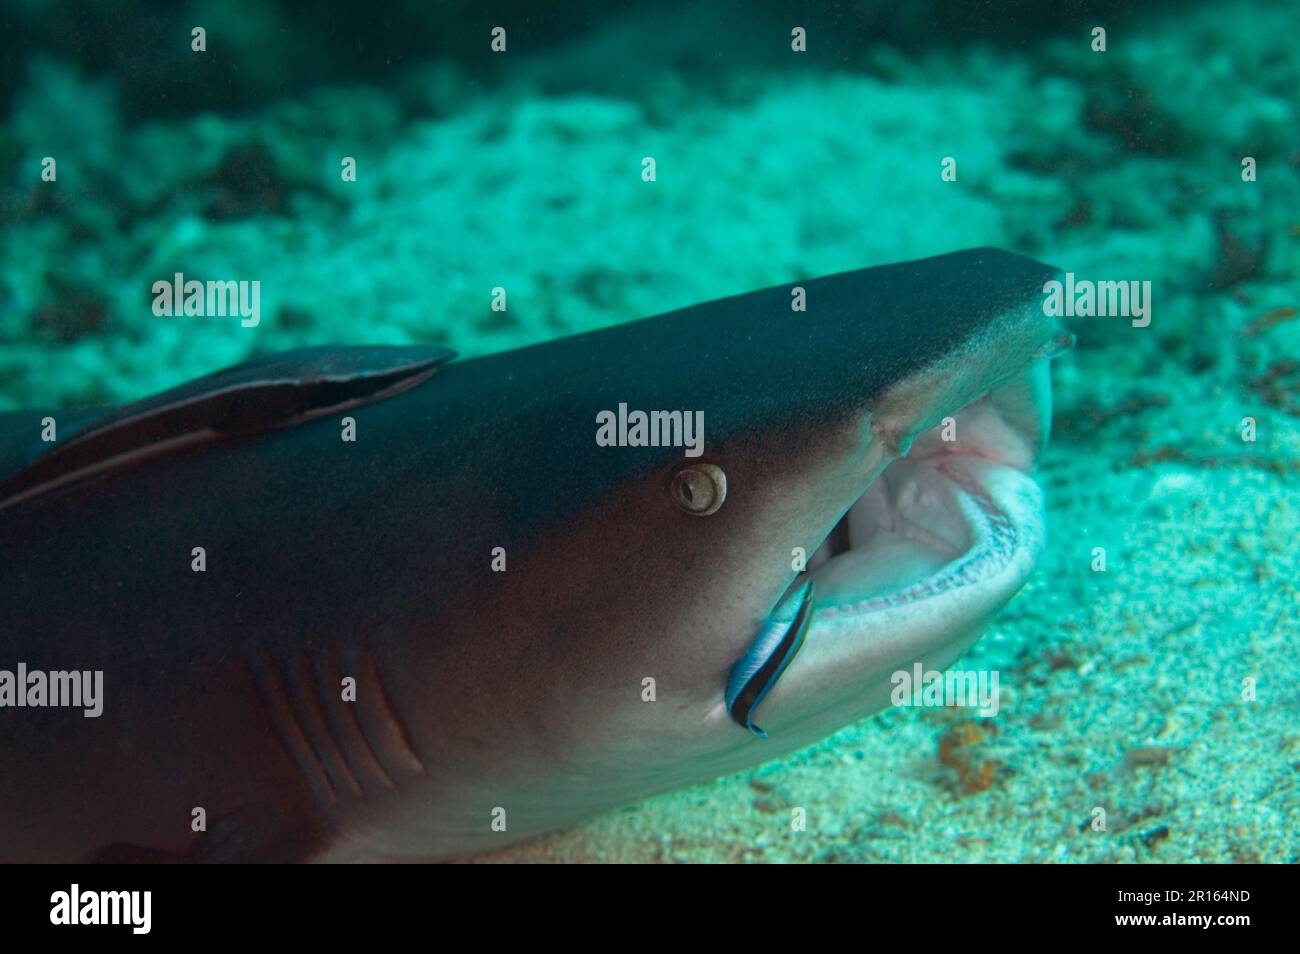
{"x":838,"y":487}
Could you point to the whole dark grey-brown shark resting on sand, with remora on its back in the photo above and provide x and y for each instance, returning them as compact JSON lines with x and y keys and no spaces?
{"x":535,"y":627}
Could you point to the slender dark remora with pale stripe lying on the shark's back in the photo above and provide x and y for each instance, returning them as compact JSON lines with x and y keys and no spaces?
{"x":263,"y":394}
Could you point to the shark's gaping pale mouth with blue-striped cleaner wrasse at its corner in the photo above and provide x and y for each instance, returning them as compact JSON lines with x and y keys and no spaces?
{"x":957,"y":513}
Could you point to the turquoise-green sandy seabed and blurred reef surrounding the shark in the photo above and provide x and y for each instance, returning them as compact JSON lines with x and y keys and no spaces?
{"x":1164,"y":690}
